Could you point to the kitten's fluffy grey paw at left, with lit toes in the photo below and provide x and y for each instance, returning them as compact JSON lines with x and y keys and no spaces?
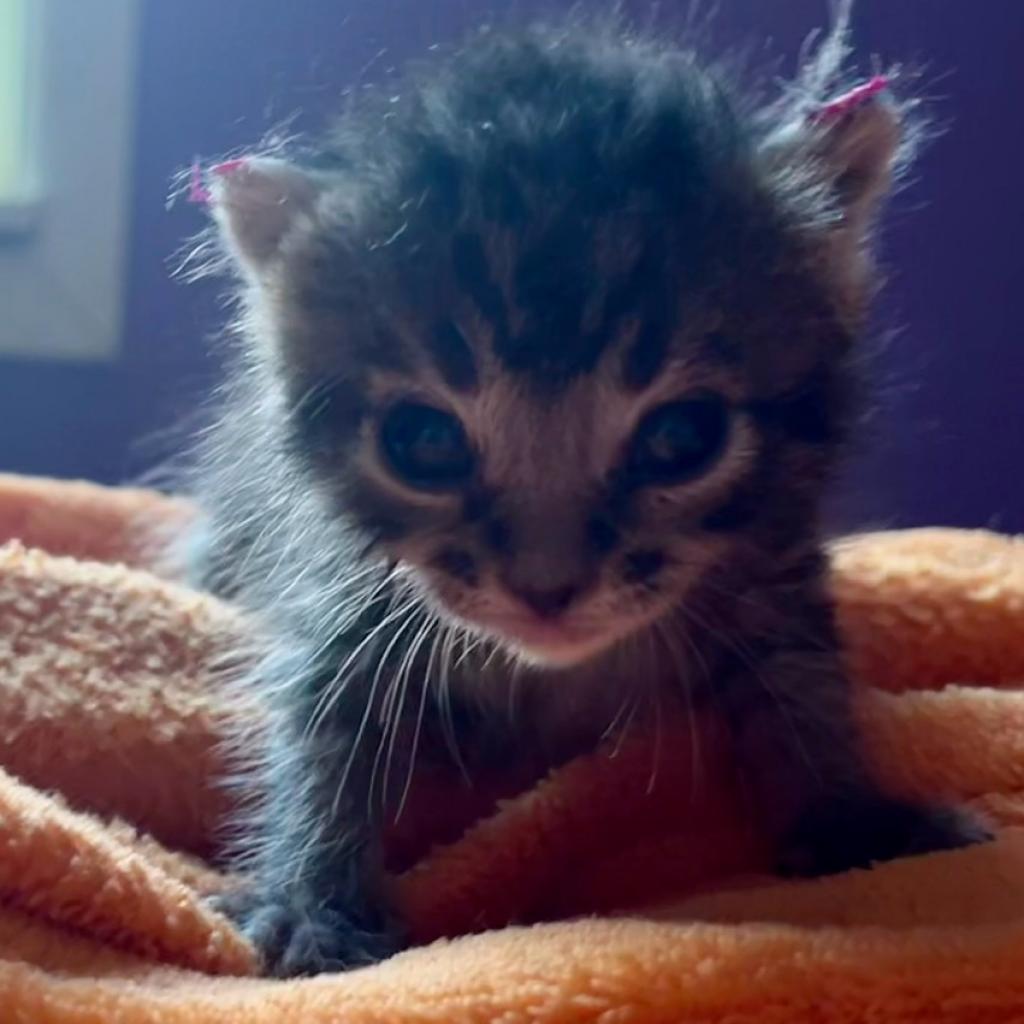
{"x":297,"y":938}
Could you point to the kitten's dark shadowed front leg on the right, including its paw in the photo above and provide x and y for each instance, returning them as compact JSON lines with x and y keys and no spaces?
{"x":800,"y":759}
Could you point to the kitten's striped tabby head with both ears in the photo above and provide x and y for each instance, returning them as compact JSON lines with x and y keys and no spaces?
{"x":563,"y":326}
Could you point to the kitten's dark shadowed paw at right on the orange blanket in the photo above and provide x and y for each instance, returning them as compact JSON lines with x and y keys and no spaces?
{"x":841,"y":833}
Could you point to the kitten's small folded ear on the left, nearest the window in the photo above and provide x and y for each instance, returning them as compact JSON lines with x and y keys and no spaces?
{"x":258,"y":202}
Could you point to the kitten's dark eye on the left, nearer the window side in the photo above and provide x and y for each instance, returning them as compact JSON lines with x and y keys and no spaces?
{"x":425,"y":447}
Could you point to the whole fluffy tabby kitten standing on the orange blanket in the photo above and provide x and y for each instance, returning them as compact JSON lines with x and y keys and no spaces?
{"x":546,"y":363}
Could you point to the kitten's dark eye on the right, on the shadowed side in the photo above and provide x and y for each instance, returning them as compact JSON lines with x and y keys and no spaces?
{"x":679,"y":441}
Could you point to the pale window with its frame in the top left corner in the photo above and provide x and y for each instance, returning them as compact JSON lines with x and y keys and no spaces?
{"x":67,"y":106}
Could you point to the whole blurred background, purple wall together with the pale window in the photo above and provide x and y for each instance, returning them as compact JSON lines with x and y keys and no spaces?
{"x":103,"y":101}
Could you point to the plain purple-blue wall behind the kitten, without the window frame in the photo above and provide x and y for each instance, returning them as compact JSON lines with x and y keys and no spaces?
{"x":218,"y":75}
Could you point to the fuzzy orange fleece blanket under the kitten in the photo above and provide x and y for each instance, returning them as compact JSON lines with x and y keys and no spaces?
{"x":594,"y":895}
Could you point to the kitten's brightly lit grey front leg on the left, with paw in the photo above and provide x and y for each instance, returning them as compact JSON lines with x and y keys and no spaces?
{"x":314,"y":901}
